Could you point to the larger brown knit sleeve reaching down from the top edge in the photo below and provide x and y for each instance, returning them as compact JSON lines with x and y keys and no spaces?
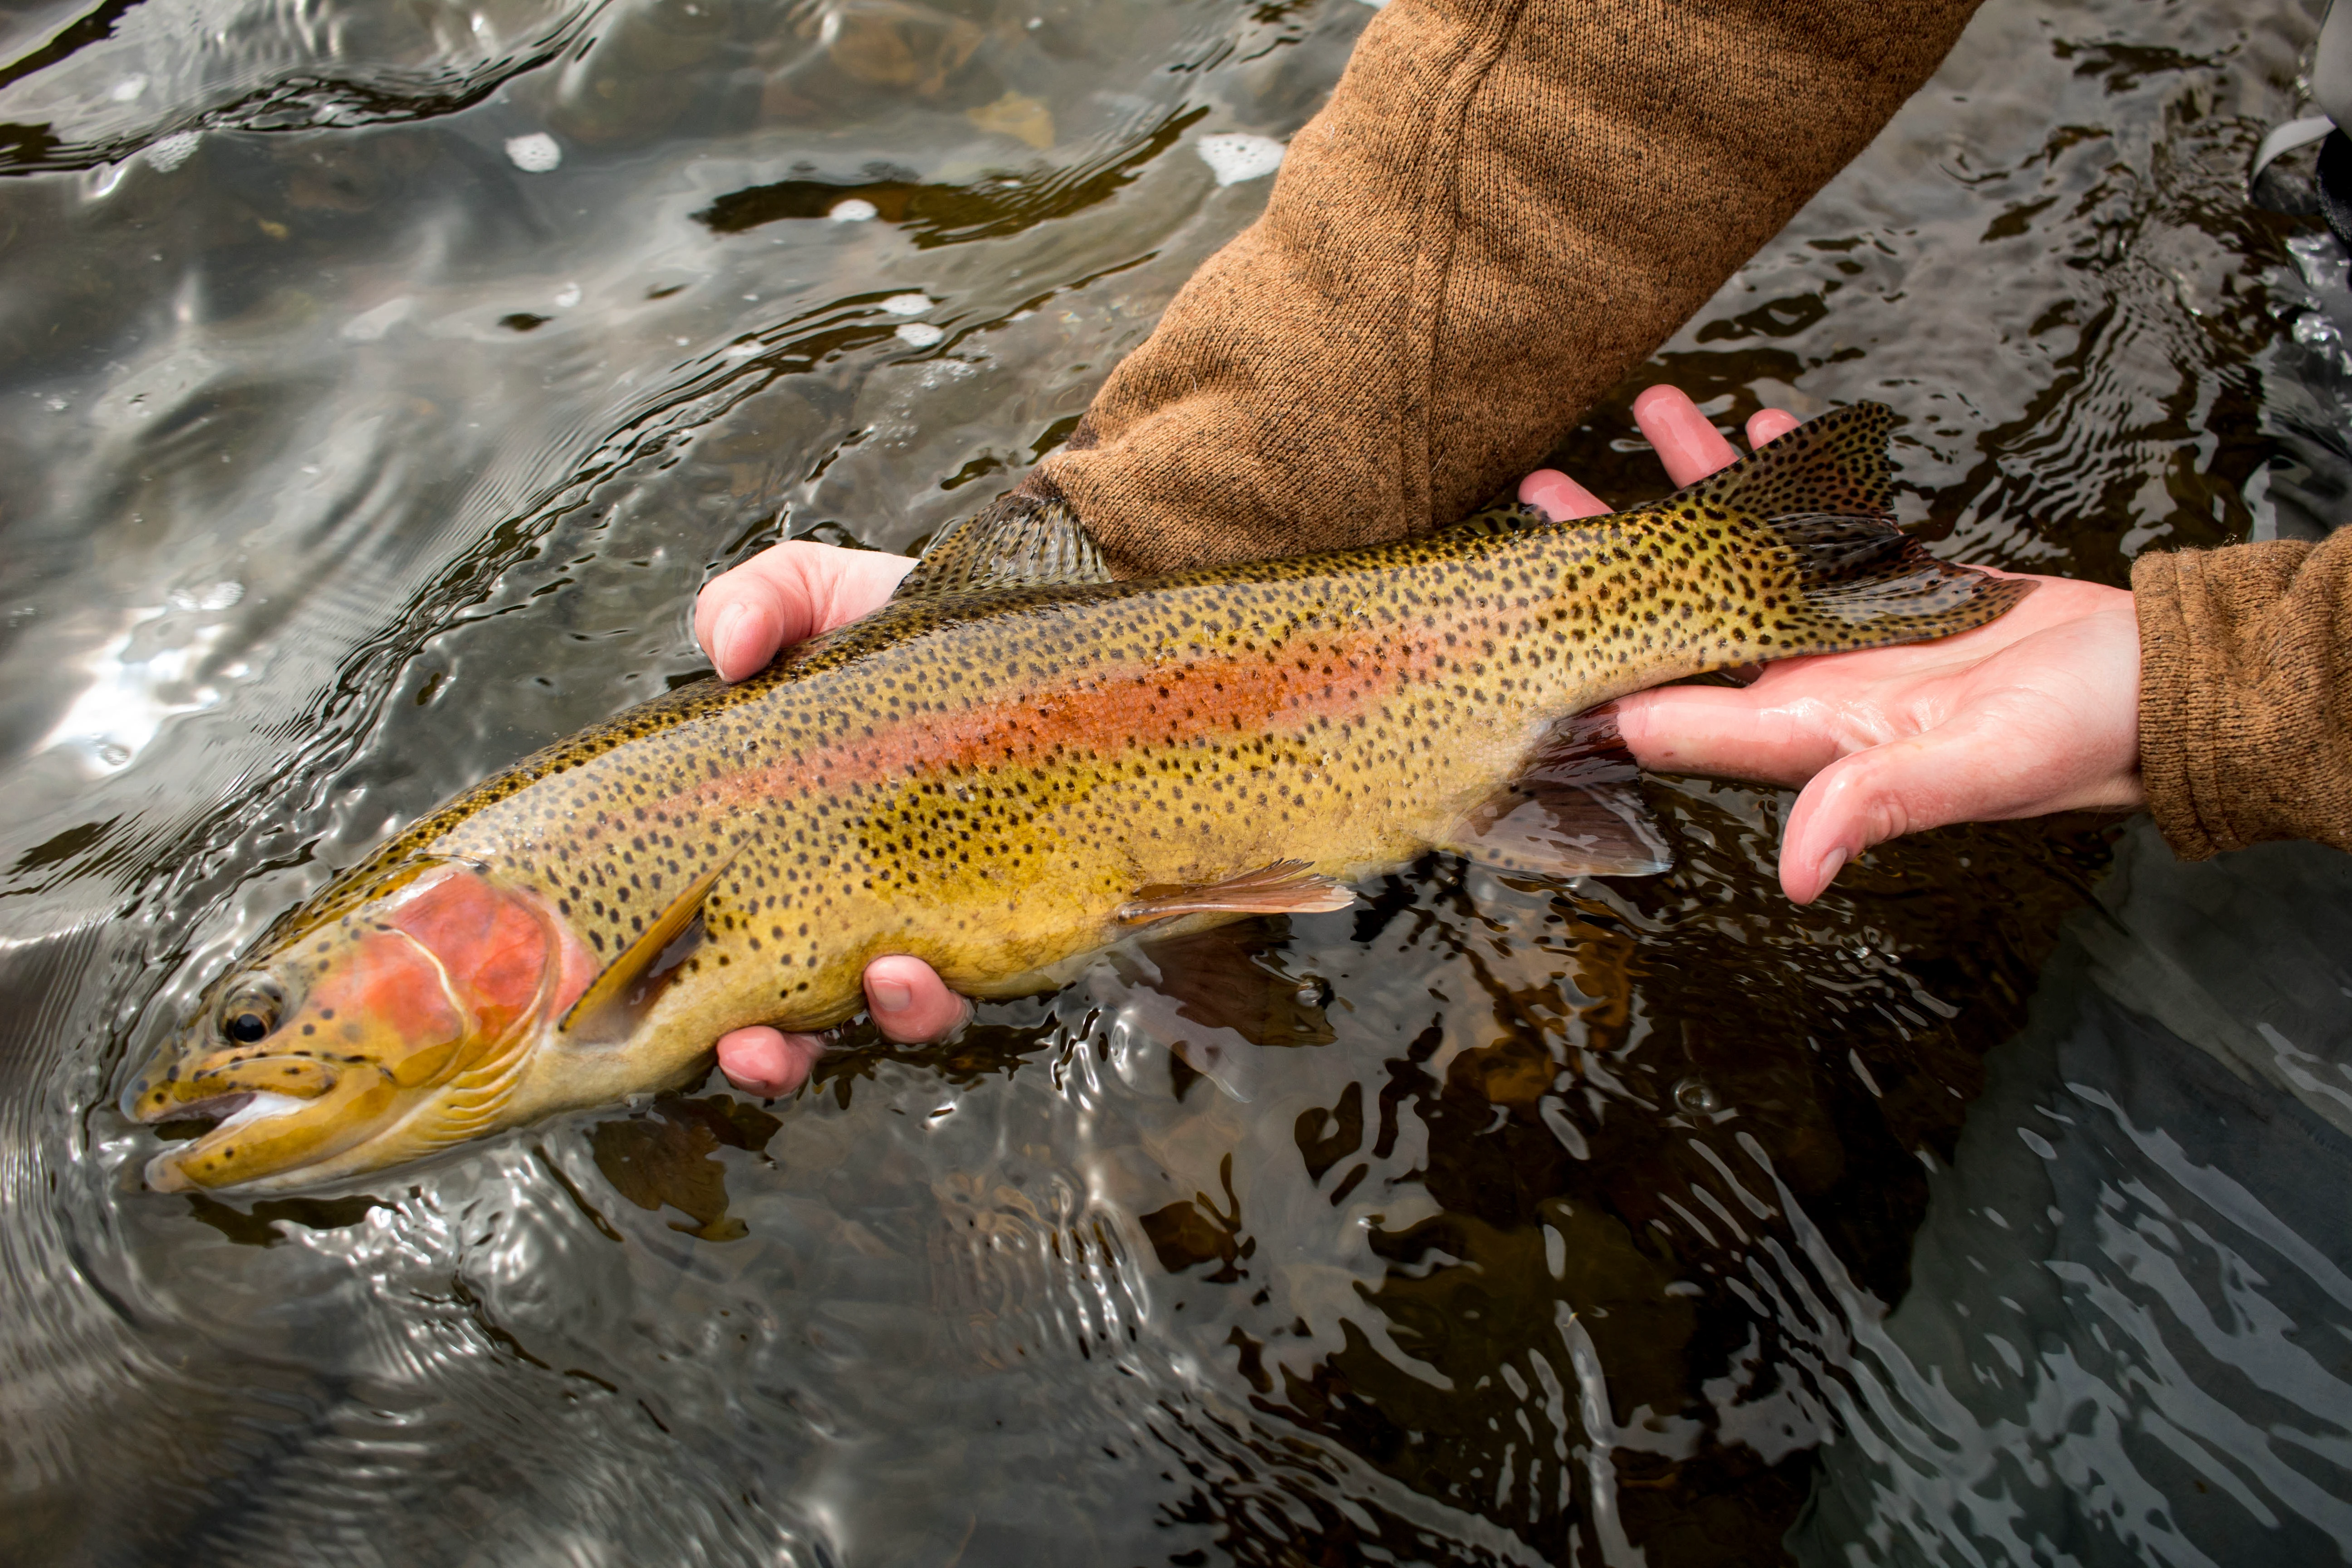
{"x":1499,"y":213}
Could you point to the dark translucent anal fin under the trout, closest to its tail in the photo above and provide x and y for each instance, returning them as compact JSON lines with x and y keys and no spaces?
{"x":1575,"y":810}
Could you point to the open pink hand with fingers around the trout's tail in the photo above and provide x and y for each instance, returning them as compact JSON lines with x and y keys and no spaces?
{"x":2033,"y":713}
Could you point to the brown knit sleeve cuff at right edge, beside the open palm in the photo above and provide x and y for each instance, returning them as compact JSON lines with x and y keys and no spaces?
{"x":2245,"y":695}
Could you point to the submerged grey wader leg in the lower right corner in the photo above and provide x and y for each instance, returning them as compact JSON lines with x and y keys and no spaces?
{"x":2130,"y":1311}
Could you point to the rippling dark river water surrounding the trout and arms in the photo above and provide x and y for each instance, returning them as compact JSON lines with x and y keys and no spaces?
{"x":380,"y":382}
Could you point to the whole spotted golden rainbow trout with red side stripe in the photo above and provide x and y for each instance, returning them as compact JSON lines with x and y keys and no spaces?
{"x":1005,"y":770}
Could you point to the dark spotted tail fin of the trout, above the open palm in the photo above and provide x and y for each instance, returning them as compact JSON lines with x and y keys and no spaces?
{"x":1864,"y":582}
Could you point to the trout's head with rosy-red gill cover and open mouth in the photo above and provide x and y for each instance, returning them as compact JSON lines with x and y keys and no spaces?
{"x":387,"y":1028}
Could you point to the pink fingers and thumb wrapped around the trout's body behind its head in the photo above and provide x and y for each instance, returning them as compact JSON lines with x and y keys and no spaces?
{"x":744,"y":617}
